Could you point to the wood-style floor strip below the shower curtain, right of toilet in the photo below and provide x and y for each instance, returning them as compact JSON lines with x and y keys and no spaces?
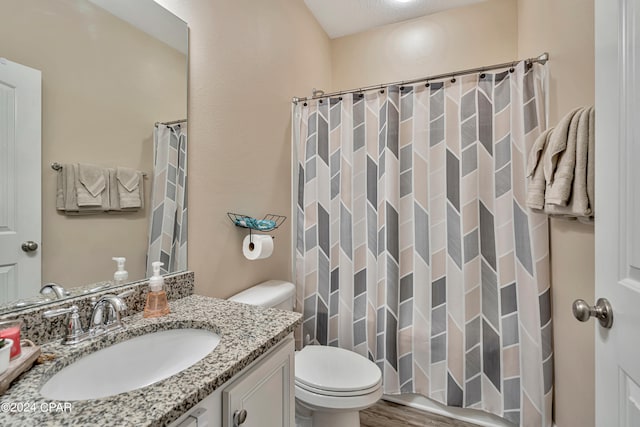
{"x":389,"y":414}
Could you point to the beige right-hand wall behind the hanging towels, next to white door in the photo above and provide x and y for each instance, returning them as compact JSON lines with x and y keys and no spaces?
{"x":565,"y":29}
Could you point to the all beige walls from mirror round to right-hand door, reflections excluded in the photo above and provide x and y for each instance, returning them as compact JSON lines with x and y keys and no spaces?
{"x":247,"y":59}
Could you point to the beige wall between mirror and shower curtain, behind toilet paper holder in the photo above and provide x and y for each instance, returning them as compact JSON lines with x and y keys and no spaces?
{"x":247,"y":59}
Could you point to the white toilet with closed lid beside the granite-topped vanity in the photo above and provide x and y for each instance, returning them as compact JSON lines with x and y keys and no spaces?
{"x":331,"y":384}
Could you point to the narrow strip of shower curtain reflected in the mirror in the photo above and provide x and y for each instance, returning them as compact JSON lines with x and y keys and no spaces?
{"x":168,"y":225}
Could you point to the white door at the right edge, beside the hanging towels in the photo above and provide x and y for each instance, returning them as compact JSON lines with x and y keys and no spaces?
{"x":617,"y":212}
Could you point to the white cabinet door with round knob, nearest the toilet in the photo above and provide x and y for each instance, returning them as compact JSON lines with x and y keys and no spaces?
{"x":265,"y":392}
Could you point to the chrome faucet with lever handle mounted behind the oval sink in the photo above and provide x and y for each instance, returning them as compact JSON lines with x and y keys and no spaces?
{"x":105,"y":317}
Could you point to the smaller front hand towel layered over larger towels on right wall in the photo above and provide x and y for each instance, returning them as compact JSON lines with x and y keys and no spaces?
{"x":559,"y":190}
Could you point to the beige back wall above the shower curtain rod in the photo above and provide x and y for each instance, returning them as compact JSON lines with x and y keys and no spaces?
{"x":482,"y":34}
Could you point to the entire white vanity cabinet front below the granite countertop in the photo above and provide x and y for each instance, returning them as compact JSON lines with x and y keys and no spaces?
{"x":260,"y":395}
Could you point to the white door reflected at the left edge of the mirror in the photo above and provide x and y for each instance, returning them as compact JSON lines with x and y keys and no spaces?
{"x":20,"y":163}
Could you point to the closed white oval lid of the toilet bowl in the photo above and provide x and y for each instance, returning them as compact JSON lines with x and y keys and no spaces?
{"x":335,"y":369}
